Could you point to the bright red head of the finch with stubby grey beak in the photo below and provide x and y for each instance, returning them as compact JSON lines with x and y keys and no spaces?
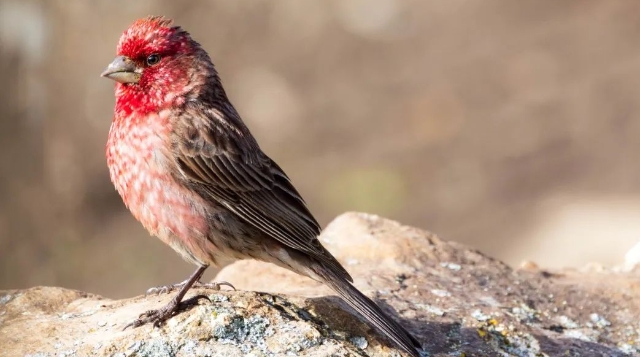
{"x":157,"y":66}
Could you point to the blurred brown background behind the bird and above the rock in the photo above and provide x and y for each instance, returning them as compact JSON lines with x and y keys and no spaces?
{"x":509,"y":126}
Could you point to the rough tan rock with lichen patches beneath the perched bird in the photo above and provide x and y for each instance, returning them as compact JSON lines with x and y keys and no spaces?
{"x":456,"y":300}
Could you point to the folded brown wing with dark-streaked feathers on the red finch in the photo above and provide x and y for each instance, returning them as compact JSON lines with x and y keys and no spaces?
{"x":221,"y":156}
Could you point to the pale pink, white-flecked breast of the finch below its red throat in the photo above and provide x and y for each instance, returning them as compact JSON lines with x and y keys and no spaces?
{"x":140,"y":166}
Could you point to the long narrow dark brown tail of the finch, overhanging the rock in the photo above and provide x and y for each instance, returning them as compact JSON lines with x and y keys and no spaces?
{"x":370,"y":311}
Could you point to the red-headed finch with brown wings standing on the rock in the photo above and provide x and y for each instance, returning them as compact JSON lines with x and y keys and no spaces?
{"x":191,"y":172}
